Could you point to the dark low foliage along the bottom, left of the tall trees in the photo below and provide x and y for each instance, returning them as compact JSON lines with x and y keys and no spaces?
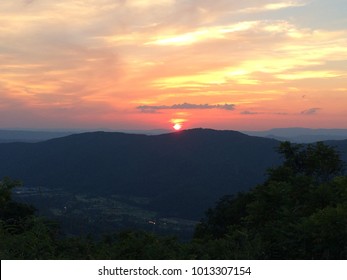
{"x":24,"y":236}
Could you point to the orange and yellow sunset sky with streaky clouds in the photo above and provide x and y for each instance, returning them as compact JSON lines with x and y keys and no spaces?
{"x":147,"y":64}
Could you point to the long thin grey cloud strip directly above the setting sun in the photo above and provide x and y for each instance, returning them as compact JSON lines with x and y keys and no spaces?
{"x":184,"y":106}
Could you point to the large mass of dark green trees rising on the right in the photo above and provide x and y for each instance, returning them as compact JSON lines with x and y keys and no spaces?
{"x":300,"y":212}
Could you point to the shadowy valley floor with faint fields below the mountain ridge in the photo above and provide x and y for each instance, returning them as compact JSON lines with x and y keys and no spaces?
{"x":83,"y":215}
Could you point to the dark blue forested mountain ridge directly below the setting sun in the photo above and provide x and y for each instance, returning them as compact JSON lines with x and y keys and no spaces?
{"x":181,"y":174}
